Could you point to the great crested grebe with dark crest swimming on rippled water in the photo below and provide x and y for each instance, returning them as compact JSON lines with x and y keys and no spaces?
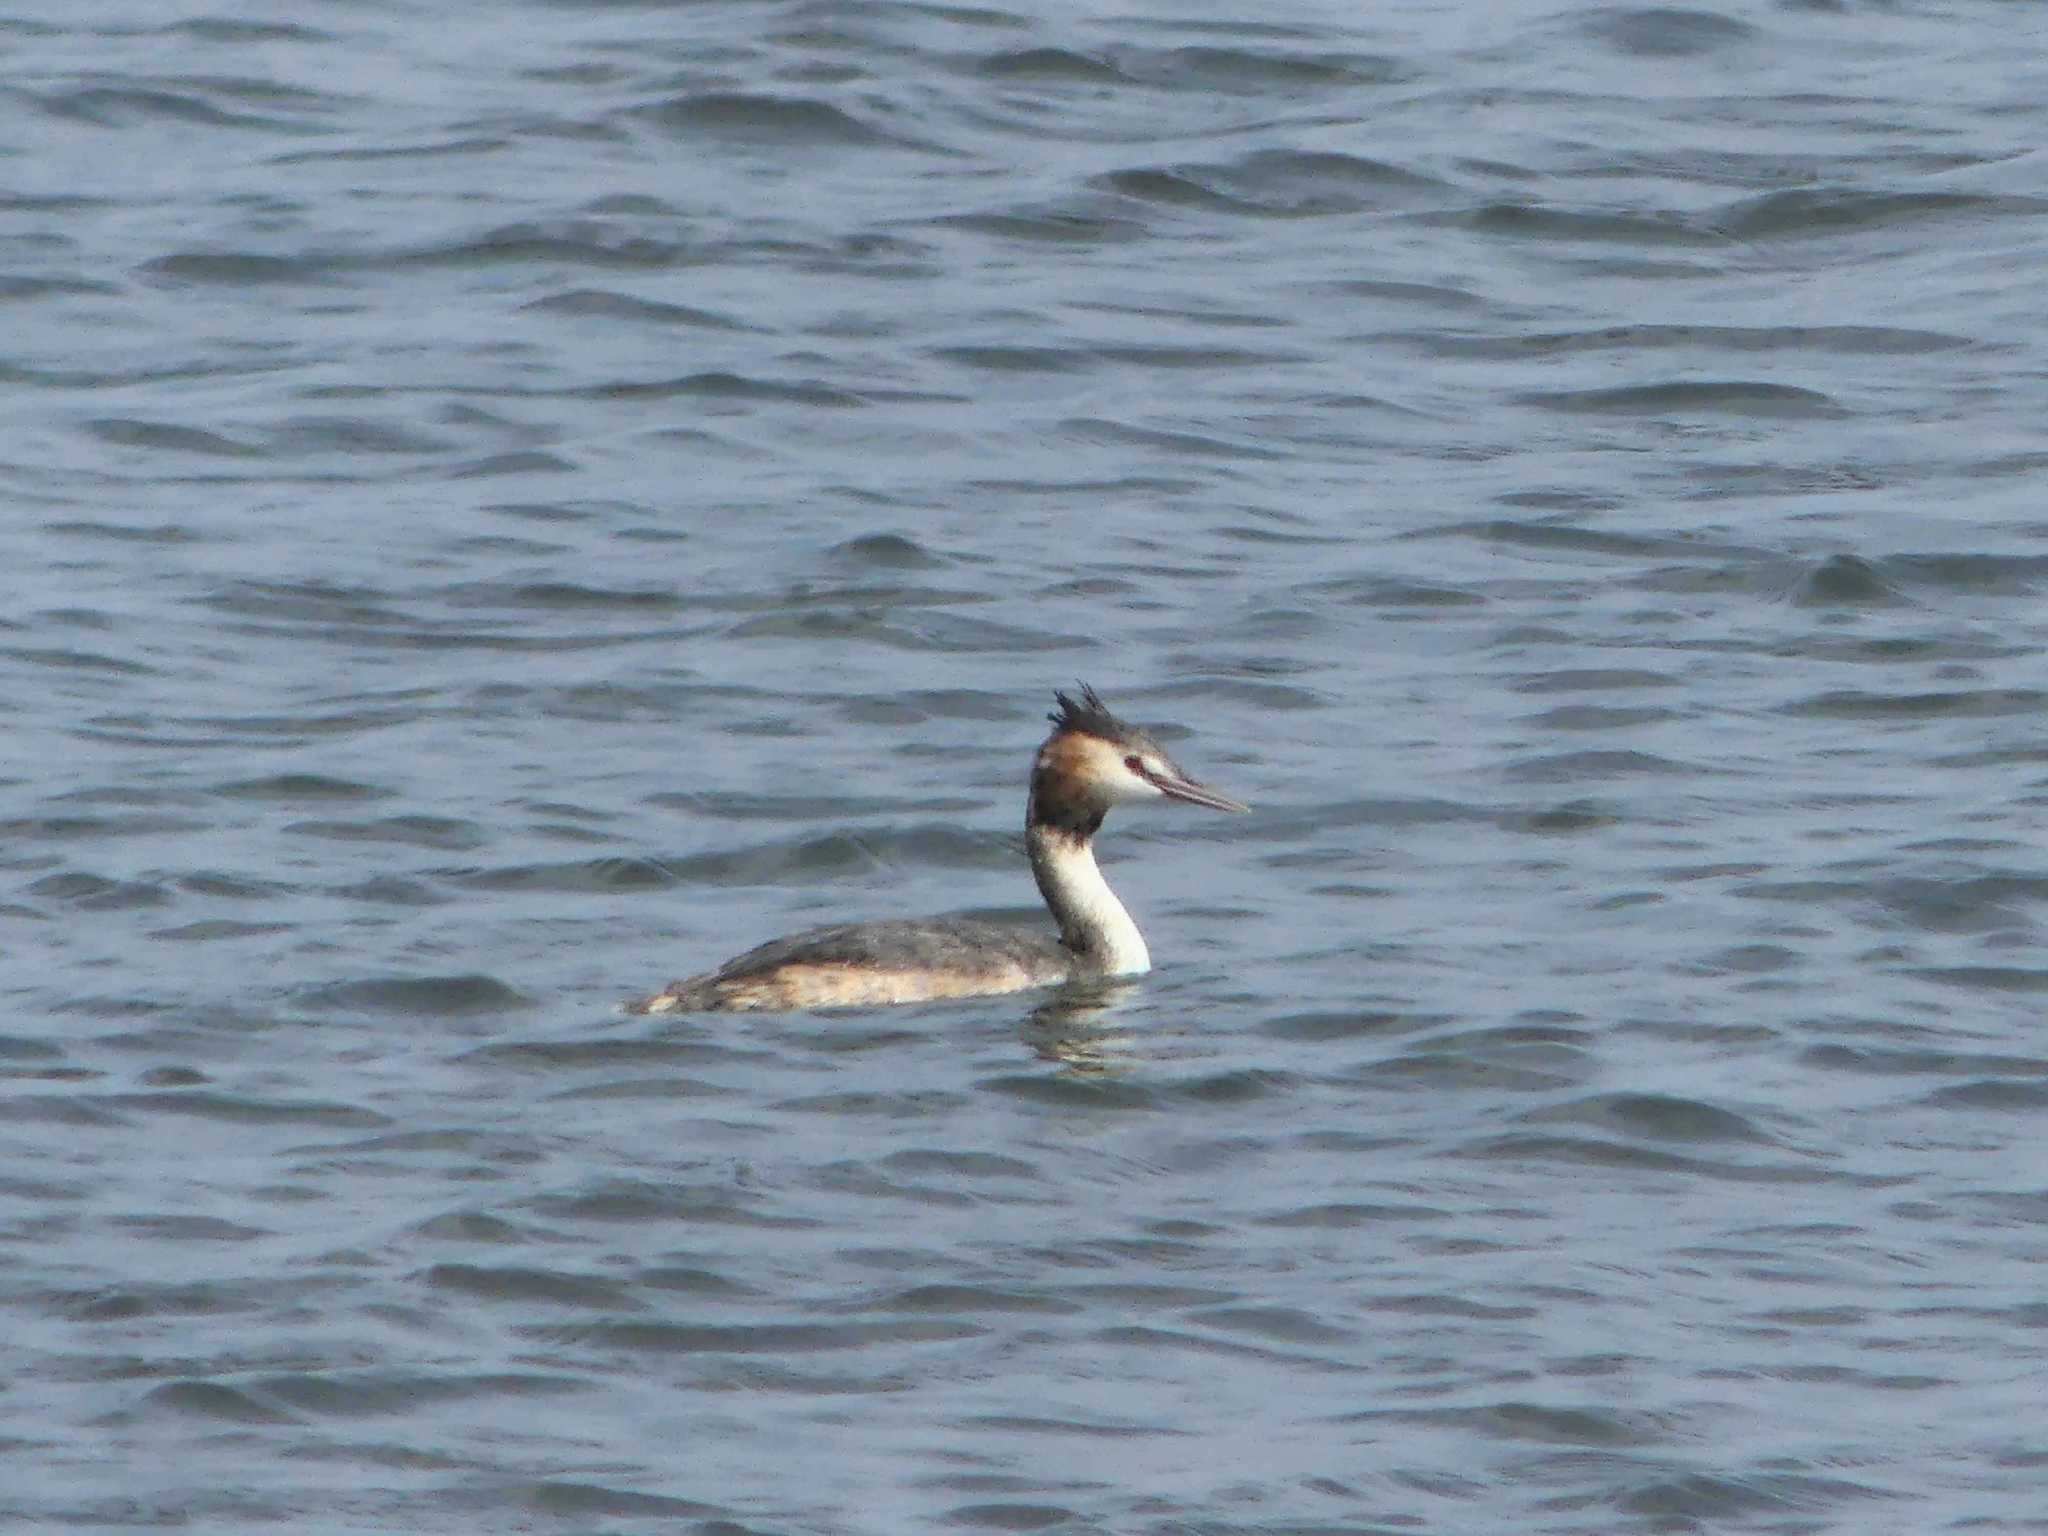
{"x":1091,"y":763}
